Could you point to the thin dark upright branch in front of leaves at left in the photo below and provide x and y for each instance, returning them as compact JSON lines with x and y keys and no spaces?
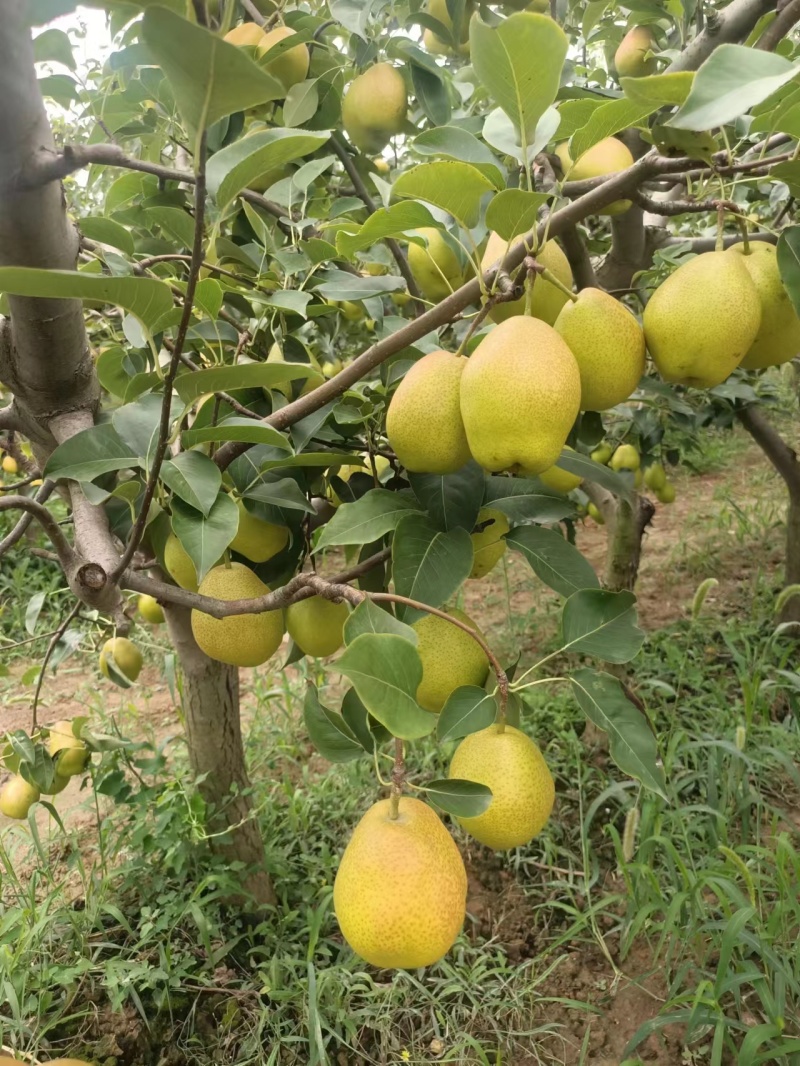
{"x":164,"y":435}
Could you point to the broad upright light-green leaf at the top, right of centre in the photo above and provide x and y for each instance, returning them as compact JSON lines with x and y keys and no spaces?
{"x":520,"y":64}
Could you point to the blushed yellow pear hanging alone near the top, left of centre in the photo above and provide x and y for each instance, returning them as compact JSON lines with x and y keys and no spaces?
{"x":375,"y":107}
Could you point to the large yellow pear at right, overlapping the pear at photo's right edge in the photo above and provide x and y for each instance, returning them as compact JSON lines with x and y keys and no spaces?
{"x":701,"y":322}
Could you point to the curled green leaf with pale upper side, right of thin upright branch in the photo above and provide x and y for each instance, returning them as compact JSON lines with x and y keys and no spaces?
{"x":241,"y":164}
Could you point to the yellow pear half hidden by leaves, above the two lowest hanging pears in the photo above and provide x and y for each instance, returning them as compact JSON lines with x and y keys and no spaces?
{"x":451,"y":658}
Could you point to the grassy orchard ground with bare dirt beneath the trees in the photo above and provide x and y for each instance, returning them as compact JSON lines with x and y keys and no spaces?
{"x":571,"y":955}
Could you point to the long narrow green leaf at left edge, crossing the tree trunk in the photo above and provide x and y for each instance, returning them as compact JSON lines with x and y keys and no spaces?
{"x":146,"y":298}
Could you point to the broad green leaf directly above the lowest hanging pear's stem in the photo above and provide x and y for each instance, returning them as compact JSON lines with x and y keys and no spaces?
{"x":387,"y":671}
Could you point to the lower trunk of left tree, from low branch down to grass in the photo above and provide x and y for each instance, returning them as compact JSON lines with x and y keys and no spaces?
{"x":215,"y":741}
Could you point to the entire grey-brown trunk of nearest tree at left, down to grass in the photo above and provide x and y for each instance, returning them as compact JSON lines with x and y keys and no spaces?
{"x":46,"y":363}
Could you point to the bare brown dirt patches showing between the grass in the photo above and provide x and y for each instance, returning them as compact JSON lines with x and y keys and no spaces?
{"x":683,"y":547}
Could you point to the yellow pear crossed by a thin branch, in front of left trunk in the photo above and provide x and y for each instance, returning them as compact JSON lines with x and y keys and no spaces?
{"x":242,"y":640}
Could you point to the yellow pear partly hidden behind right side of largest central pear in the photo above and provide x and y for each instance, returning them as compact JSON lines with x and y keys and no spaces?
{"x":609,"y":346}
